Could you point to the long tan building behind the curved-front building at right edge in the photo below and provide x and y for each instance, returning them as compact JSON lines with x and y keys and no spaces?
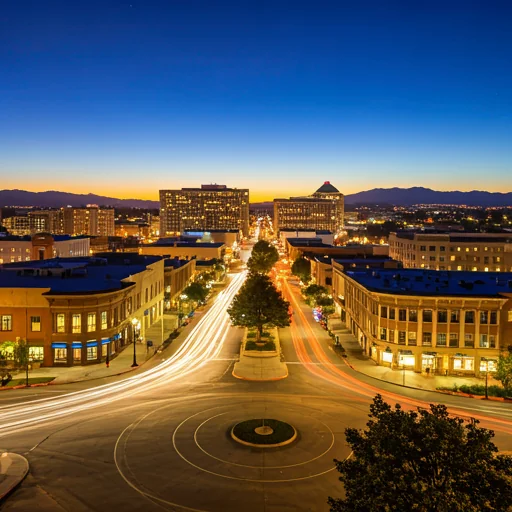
{"x":488,"y":252}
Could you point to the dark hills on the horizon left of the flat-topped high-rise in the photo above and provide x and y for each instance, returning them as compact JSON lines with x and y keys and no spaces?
{"x":55,"y":199}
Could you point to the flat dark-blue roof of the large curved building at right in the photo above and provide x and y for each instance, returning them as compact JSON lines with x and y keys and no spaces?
{"x":434,"y":283}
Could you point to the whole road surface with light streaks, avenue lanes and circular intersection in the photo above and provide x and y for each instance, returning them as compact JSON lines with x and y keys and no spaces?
{"x":159,"y":439}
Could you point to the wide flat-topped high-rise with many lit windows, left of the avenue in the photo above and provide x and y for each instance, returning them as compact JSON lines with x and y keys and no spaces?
{"x":206,"y":208}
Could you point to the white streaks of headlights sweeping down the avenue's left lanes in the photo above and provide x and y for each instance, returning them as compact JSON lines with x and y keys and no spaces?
{"x":203,"y":344}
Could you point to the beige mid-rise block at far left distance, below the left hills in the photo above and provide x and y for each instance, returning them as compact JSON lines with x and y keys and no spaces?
{"x":91,"y":220}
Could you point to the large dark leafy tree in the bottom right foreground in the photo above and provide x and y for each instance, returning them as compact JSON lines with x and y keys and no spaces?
{"x":425,"y":461}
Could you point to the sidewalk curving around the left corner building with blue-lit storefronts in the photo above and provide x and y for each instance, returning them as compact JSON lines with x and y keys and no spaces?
{"x":122,"y":363}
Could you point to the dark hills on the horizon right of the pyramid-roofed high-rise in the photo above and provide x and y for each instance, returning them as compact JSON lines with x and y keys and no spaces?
{"x":420,"y":195}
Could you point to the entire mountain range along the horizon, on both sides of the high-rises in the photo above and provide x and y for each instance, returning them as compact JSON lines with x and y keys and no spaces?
{"x":383,"y":196}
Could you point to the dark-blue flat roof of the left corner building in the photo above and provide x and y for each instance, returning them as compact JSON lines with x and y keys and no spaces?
{"x":76,"y":276}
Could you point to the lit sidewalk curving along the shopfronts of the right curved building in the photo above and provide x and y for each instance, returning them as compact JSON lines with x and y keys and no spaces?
{"x":364,"y":364}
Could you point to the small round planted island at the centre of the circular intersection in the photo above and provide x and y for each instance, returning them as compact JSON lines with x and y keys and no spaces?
{"x":264,"y":433}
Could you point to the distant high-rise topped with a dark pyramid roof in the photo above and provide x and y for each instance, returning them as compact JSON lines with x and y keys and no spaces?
{"x":323,"y":210}
